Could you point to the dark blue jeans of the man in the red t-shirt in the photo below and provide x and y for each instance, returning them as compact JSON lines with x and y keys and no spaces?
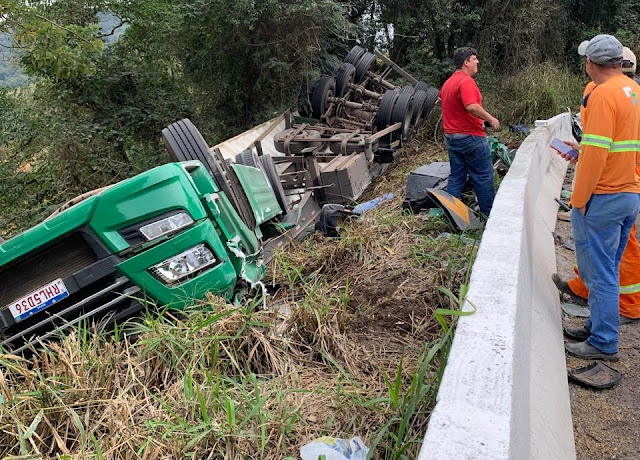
{"x":471,"y":155}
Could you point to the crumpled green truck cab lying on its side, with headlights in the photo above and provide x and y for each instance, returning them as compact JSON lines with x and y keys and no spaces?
{"x":168,"y":235}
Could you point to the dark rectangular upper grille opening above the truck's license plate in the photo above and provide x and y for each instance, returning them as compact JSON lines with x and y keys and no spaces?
{"x":60,"y":260}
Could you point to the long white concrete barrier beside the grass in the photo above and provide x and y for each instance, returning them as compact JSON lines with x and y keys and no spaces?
{"x":504,"y":393}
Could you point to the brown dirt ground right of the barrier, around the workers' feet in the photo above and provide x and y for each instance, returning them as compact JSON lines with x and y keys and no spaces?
{"x":606,"y":423}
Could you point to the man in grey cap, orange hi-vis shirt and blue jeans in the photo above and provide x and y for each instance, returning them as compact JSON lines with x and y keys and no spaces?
{"x":606,"y":195}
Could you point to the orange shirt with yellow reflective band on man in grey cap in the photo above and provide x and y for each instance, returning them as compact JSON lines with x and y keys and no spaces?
{"x":610,"y":141}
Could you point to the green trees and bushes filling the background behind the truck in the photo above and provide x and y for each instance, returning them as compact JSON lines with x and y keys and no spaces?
{"x":96,"y":106}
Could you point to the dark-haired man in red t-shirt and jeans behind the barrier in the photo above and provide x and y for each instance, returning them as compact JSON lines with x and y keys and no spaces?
{"x":463,"y":117}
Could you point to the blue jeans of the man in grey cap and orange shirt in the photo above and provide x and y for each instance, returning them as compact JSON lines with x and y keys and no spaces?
{"x":601,"y":236}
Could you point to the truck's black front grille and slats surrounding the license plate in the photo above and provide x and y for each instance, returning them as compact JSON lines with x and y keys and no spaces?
{"x":97,"y":292}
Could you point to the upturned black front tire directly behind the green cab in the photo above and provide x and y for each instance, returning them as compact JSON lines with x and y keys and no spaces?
{"x":185,"y":143}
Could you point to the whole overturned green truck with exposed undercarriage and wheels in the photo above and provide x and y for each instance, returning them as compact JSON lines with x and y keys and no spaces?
{"x":209,"y":221}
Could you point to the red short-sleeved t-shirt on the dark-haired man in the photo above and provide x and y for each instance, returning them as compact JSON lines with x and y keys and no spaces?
{"x":459,"y":91}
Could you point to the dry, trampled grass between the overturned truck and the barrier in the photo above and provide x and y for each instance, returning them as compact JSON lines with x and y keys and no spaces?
{"x":348,"y":345}
